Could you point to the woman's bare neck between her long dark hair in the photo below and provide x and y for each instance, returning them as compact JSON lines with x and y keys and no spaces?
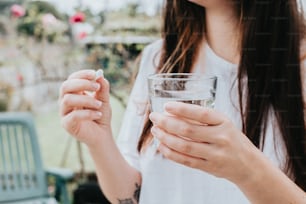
{"x":223,"y":33}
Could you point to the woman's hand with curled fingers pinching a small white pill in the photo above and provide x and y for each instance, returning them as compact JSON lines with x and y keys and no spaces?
{"x":85,"y":107}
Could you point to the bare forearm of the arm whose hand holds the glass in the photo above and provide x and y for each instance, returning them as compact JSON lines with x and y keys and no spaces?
{"x":268,"y":184}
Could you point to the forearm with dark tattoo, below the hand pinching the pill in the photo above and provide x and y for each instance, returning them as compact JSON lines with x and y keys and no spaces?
{"x":118,"y":180}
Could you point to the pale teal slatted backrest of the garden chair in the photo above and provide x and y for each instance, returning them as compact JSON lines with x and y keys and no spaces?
{"x":21,"y":170}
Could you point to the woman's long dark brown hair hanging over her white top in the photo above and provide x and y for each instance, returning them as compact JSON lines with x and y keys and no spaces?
{"x":271,"y":38}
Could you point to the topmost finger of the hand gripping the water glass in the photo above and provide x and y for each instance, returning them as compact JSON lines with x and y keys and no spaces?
{"x":194,"y":112}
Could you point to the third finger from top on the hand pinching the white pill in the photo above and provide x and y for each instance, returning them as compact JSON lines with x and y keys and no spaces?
{"x":71,"y":102}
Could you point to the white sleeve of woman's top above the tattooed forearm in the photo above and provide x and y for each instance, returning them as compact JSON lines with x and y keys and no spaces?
{"x":134,"y":116}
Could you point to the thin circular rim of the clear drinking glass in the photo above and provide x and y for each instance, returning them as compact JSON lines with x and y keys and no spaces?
{"x":197,"y":76}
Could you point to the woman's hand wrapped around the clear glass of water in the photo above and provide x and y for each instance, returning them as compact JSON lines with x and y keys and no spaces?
{"x":204,"y":139}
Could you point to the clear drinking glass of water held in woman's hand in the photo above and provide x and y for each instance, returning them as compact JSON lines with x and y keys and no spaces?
{"x":189,"y":88}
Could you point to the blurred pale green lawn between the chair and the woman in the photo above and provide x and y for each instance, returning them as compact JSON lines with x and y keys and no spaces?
{"x":54,"y":139}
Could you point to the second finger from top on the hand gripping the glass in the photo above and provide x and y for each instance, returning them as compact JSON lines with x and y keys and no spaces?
{"x":175,"y":126}
